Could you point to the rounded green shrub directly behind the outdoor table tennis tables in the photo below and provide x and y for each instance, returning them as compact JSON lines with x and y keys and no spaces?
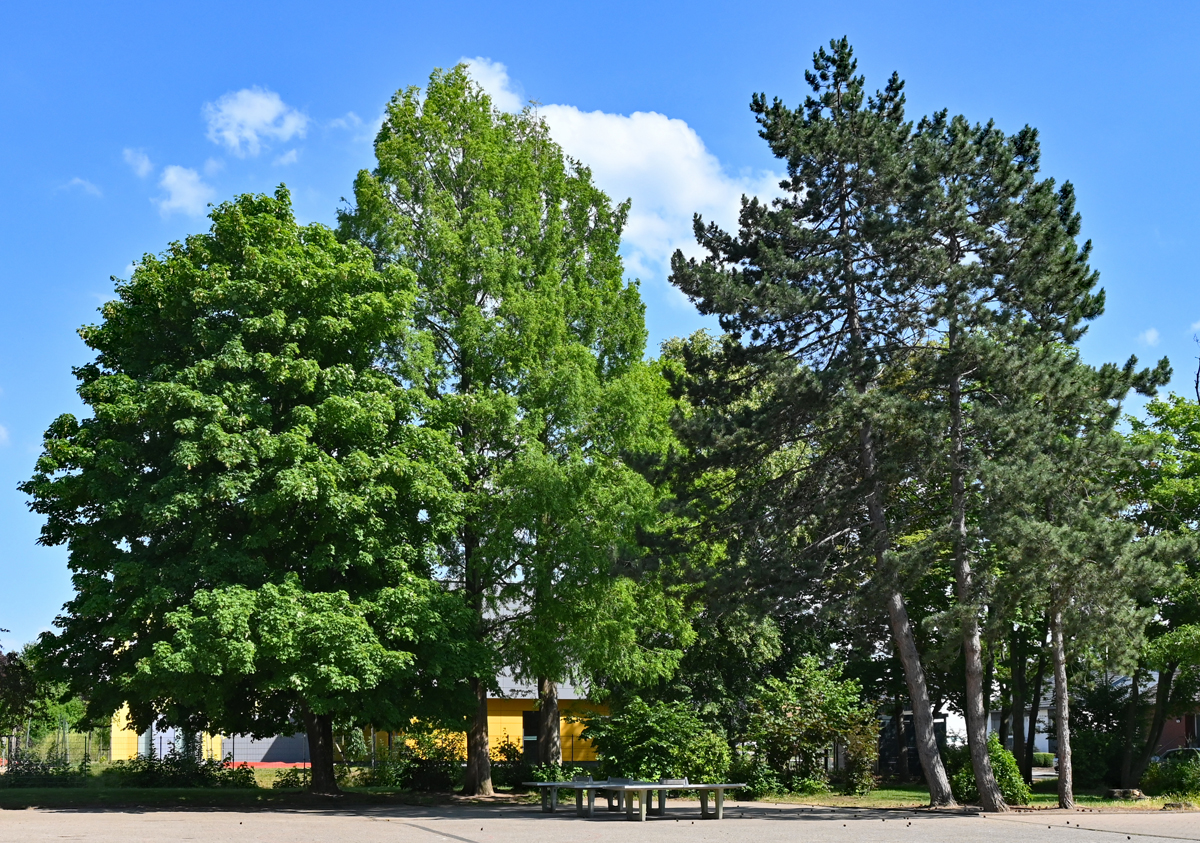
{"x":659,"y":740}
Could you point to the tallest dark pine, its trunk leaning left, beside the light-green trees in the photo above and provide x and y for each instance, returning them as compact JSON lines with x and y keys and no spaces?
{"x":811,"y":280}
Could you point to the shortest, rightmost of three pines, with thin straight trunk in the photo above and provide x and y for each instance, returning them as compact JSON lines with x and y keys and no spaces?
{"x":1069,"y":552}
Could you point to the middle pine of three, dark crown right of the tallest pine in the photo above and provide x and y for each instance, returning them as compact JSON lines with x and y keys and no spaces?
{"x":992,"y":252}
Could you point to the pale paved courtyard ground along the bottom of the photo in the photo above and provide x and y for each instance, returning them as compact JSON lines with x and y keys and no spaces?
{"x":751,"y":823}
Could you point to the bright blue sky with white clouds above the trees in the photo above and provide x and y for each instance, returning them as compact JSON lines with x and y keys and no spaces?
{"x":119,"y":122}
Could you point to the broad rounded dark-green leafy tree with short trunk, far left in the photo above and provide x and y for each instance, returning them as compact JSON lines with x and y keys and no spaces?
{"x":251,"y":507}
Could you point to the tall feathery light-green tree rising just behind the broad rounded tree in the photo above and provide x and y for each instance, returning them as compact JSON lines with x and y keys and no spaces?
{"x":526,"y":325}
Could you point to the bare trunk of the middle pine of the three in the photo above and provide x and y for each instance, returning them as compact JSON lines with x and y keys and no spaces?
{"x":991,"y":798}
